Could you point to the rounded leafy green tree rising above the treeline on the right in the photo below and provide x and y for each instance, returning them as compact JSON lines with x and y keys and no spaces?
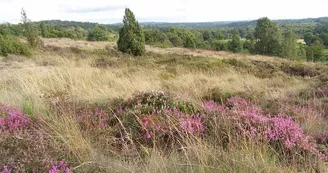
{"x":268,"y":37}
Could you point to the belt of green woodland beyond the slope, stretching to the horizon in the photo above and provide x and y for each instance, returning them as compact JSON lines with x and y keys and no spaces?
{"x":263,"y":36}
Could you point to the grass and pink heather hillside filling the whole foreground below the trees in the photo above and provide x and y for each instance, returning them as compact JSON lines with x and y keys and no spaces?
{"x":85,"y":107}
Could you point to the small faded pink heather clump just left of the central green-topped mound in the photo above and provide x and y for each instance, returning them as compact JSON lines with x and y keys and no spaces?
{"x":97,"y":118}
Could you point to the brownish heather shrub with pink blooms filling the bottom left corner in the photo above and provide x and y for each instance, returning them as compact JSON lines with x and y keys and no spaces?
{"x":24,"y":147}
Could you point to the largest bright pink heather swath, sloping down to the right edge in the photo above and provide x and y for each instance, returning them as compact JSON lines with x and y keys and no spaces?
{"x":249,"y":121}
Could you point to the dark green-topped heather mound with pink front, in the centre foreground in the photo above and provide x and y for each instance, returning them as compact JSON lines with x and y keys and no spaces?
{"x":150,"y":114}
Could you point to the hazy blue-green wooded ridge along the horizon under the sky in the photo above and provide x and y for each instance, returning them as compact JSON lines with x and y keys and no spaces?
{"x":89,"y":25}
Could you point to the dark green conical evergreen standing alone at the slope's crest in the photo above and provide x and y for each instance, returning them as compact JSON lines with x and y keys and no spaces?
{"x":131,"y":36}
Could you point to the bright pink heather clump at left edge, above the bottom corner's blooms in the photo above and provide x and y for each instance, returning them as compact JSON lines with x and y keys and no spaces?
{"x":12,"y":120}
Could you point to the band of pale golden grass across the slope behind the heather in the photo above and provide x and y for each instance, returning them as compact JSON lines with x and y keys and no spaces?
{"x":79,"y":81}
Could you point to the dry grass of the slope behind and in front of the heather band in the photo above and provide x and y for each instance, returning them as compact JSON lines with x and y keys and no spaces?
{"x":86,"y":75}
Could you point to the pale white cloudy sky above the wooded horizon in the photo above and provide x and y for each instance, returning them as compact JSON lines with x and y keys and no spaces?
{"x":112,"y":11}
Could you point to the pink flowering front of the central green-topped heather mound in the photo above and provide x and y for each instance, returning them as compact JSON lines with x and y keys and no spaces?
{"x":169,"y":120}
